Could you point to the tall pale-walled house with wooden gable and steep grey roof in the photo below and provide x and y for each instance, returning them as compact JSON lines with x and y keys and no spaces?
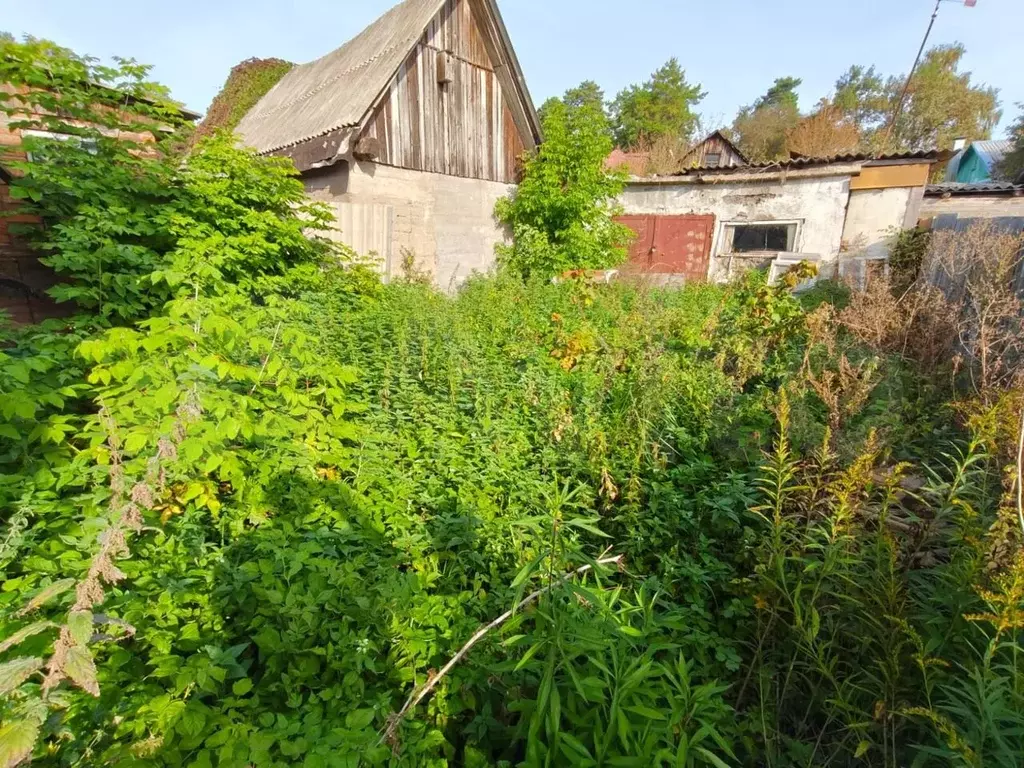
{"x":411,"y":133}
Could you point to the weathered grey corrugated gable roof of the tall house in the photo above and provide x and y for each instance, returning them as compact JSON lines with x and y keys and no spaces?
{"x":339,"y":91}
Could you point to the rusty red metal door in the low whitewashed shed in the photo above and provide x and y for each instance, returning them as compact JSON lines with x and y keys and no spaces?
{"x":672,"y":245}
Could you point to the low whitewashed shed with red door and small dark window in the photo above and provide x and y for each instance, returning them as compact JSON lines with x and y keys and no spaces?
{"x":707,"y":224}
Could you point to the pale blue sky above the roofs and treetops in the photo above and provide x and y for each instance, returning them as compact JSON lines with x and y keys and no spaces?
{"x":735,"y":49}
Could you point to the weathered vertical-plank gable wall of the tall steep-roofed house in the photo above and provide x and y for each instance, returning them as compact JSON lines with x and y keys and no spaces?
{"x":463,"y":127}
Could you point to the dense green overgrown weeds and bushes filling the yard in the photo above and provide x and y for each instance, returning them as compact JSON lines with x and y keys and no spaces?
{"x":264,"y":510}
